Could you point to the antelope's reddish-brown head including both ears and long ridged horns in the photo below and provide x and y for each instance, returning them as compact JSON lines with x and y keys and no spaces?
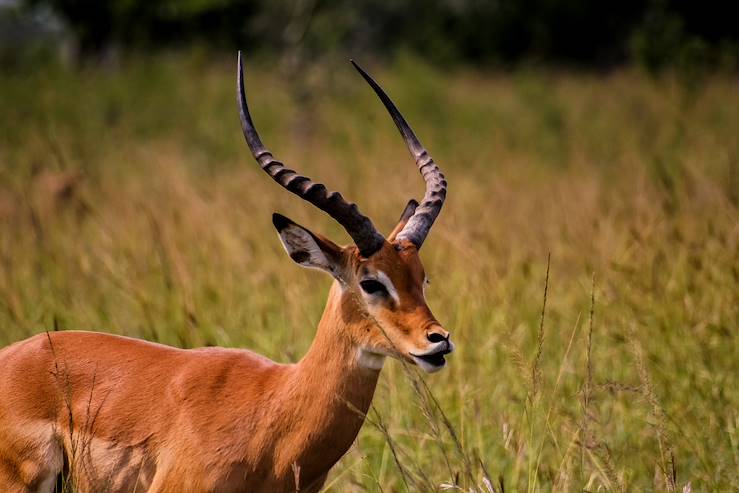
{"x":382,"y":280}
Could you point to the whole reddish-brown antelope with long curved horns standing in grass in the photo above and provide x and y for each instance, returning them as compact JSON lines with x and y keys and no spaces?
{"x":120,"y":414}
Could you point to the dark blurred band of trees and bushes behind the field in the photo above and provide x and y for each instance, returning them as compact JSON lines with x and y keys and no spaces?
{"x":653,"y":33}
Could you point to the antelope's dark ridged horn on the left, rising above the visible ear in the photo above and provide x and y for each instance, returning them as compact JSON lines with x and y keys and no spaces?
{"x":359,"y":226}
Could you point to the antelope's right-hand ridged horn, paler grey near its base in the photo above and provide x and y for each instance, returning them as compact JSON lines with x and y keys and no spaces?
{"x":420,"y":223}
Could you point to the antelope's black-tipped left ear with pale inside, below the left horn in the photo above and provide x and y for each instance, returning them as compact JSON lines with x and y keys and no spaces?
{"x":308,"y":249}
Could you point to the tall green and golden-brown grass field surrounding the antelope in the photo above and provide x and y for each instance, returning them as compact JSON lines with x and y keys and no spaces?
{"x":129,"y":204}
